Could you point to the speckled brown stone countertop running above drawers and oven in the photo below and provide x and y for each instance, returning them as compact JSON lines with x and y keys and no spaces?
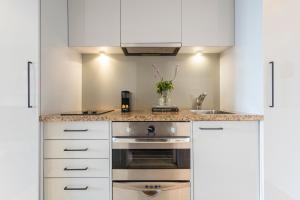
{"x":184,"y":115}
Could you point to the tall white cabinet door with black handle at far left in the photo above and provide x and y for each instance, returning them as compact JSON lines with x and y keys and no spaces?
{"x":19,"y":138}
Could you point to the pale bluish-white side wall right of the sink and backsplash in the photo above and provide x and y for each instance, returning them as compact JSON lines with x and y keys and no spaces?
{"x":241,"y":68}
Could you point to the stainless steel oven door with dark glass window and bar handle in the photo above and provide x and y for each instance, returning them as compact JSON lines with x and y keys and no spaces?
{"x":164,"y":159}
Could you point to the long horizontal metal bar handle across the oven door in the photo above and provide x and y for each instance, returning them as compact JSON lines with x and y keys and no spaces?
{"x":150,"y":140}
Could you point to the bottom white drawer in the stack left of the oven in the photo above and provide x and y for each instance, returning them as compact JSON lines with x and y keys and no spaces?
{"x":91,"y":188}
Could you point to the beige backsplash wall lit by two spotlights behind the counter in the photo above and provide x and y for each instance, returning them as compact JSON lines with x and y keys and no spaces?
{"x":103,"y":81}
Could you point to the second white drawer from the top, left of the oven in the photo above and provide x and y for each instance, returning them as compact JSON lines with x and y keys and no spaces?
{"x":76,"y":149}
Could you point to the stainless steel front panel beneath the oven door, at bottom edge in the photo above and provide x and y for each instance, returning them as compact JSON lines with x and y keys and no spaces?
{"x":147,"y":190}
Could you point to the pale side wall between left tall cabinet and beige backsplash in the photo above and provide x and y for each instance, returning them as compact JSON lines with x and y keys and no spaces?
{"x":61,"y":67}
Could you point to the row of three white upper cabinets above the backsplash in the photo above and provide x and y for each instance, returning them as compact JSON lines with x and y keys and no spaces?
{"x":94,"y":23}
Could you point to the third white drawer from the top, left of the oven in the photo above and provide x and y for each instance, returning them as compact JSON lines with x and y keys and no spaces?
{"x":76,"y":168}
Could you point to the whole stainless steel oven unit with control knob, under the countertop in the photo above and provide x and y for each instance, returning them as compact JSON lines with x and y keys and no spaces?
{"x":151,"y":159}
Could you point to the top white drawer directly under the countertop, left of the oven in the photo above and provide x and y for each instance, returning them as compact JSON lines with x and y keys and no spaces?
{"x":76,"y":130}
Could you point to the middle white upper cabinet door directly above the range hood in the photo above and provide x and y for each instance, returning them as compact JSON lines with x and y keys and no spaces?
{"x":150,"y":21}
